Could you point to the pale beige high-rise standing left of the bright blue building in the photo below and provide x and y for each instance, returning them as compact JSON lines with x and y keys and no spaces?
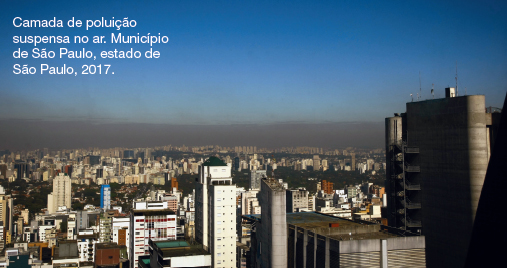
{"x":61,"y":195}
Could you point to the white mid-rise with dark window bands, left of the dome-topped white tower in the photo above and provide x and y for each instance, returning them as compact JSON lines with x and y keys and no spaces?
{"x":149,"y":220}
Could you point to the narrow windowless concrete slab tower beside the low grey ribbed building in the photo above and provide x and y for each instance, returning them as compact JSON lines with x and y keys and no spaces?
{"x":271,"y":233}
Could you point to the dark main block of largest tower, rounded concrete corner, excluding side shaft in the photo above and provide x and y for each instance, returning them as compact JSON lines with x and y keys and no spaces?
{"x":451,"y":136}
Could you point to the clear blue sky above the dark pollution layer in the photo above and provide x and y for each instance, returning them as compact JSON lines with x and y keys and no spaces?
{"x":230,"y":62}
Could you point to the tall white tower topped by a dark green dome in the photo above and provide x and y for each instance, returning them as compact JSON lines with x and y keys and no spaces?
{"x":215,"y":212}
